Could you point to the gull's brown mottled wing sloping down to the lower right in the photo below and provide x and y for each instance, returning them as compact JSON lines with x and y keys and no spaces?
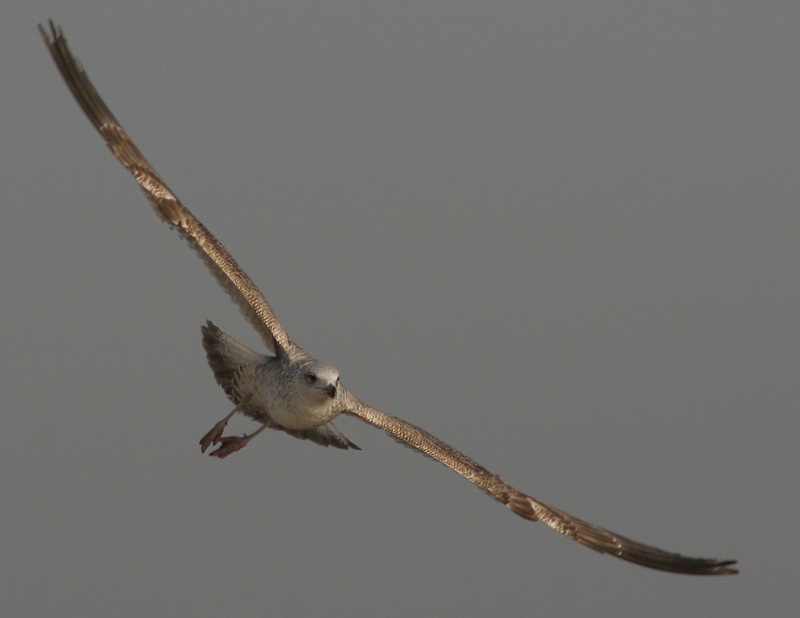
{"x":585,"y":533}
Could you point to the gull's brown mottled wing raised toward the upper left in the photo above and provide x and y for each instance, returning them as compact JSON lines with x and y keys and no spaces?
{"x":229,"y":274}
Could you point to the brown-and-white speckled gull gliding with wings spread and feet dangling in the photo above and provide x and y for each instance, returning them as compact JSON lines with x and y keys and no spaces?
{"x":293,"y":392}
